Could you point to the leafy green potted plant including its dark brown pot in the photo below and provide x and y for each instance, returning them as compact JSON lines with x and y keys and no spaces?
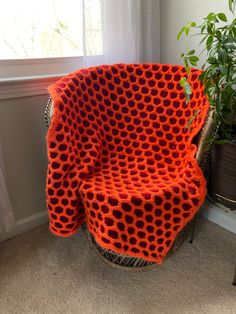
{"x":218,"y":37}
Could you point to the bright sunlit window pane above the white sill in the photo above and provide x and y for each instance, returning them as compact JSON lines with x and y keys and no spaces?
{"x":49,"y":28}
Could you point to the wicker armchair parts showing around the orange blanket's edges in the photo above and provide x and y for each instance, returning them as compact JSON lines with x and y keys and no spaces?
{"x":135,"y":263}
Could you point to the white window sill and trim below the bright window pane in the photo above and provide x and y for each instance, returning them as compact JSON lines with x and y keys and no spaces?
{"x":30,"y":77}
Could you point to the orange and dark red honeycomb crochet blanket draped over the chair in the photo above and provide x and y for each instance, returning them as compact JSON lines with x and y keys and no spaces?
{"x":121,"y":156}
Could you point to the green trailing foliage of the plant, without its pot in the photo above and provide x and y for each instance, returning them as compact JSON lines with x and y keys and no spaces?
{"x":219,"y":76}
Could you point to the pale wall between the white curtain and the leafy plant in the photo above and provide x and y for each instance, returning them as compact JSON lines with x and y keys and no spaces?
{"x":177,"y":13}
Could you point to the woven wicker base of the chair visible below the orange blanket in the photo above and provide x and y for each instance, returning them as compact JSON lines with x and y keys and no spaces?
{"x":129,"y":263}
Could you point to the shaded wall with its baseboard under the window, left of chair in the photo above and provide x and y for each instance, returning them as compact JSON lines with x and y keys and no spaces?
{"x":24,"y":161}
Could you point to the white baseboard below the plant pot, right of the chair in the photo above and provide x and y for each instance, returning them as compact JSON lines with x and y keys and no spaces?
{"x":219,"y":216}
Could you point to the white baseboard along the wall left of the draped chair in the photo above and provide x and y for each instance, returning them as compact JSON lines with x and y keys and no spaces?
{"x":25,"y":224}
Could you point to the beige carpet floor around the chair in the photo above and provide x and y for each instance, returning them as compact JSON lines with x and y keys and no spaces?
{"x":40,"y":273}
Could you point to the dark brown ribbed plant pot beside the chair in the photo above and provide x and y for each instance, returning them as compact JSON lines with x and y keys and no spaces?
{"x":222,"y":177}
